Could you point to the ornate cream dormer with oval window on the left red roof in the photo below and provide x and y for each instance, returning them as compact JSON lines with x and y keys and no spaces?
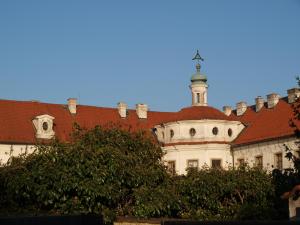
{"x":44,"y":126}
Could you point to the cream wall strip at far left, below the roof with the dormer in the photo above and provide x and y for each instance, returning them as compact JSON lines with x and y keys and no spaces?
{"x":8,"y":150}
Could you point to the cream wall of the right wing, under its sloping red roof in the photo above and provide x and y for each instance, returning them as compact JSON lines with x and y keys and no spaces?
{"x":267,"y":150}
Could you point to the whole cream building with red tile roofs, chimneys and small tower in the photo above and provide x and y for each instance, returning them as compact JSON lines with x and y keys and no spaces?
{"x":196,"y":136}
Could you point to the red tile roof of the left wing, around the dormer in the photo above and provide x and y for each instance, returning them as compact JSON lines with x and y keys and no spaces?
{"x":16,"y":119}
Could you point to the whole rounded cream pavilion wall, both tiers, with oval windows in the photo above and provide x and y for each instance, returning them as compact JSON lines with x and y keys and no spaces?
{"x":207,"y":146}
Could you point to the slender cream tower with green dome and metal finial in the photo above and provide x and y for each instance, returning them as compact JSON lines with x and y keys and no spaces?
{"x":198,"y":85}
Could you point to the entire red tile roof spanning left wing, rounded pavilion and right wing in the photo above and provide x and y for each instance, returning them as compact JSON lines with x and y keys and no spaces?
{"x":16,"y":120}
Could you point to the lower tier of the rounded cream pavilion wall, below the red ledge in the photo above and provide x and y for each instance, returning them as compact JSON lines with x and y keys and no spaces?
{"x":204,"y":153}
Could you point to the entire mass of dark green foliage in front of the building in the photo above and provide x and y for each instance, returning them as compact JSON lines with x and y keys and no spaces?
{"x":113,"y":171}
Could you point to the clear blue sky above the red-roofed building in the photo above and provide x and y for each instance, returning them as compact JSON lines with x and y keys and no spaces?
{"x":138,"y":51}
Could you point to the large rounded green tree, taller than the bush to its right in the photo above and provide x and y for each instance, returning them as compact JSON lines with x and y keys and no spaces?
{"x":102,"y":170}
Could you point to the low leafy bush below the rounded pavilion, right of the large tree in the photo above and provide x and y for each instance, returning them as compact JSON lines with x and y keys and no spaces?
{"x":236,"y":194}
